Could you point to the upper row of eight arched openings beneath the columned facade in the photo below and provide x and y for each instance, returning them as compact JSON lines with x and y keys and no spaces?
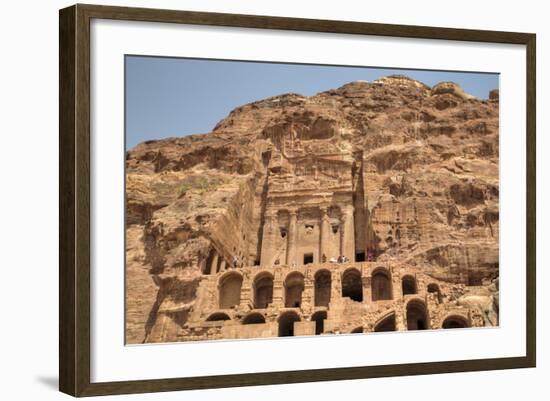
{"x":352,"y":287}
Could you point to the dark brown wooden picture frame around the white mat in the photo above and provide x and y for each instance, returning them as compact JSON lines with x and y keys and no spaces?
{"x":74,"y":199}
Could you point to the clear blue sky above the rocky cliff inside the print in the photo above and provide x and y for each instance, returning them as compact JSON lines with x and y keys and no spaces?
{"x":167,"y":97}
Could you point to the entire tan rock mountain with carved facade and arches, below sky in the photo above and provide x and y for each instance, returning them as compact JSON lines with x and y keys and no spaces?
{"x":398,"y":177}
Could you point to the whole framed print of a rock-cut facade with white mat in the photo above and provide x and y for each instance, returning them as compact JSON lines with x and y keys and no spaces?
{"x":250,"y":200}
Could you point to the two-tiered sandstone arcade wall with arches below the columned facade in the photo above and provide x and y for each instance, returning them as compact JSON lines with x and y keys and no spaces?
{"x":361,"y":297}
